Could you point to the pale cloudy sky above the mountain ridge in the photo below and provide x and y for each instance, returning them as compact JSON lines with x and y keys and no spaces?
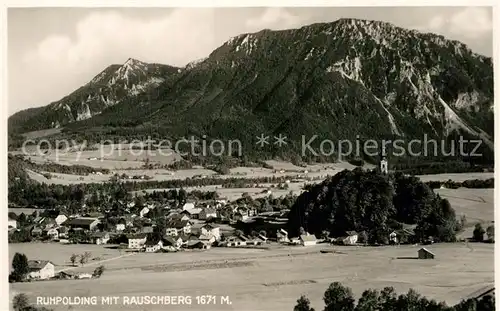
{"x":53,"y":51}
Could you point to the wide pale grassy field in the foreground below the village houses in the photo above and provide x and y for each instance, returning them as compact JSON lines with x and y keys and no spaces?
{"x":274,"y":279}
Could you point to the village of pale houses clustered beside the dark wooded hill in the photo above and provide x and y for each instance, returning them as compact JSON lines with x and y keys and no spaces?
{"x":156,"y":228}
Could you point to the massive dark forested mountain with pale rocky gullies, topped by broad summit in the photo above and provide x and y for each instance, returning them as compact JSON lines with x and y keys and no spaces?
{"x":342,"y":80}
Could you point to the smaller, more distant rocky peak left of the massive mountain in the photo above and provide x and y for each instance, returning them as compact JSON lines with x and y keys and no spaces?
{"x":110,"y":87}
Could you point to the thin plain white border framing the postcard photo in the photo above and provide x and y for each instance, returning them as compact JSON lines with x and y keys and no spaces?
{"x":4,"y":261}
